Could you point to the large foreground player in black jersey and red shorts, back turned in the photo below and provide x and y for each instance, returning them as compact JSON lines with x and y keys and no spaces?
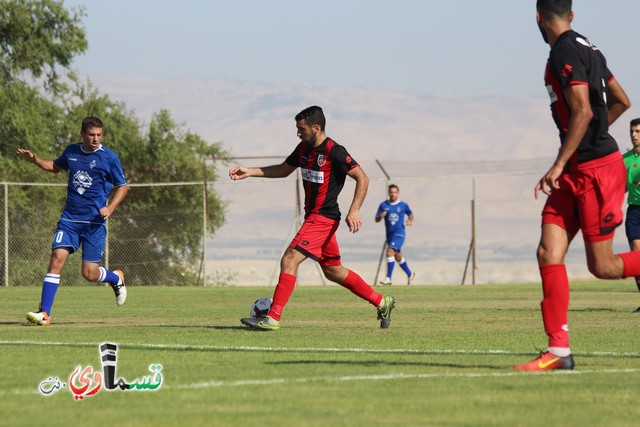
{"x":586,"y":183}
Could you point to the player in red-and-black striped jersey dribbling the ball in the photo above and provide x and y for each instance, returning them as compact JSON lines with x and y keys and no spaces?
{"x":324,"y":166}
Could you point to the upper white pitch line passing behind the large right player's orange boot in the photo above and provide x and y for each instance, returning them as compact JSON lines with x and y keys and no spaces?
{"x":190,"y":347}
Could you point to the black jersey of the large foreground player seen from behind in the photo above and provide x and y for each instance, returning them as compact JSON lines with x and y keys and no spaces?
{"x":574,"y":60}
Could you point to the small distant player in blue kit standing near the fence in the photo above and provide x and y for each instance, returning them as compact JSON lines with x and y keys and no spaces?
{"x":393,"y":211}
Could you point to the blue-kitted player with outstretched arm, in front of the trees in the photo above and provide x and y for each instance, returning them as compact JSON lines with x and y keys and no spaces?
{"x":94,"y":171}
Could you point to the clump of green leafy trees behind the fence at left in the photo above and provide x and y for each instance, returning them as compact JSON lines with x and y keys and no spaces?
{"x":42,"y":111}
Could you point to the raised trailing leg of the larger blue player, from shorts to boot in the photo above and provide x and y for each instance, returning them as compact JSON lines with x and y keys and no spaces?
{"x":93,"y":239}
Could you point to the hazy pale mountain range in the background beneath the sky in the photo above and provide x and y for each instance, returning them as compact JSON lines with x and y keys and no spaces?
{"x":419,"y":139}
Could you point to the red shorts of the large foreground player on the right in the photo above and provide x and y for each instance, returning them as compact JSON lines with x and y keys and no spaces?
{"x":589,"y":199}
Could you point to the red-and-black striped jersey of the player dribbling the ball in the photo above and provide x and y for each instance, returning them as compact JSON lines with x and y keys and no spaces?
{"x":324,"y":170}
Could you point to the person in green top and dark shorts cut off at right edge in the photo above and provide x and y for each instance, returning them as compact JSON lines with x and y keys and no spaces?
{"x":632,"y":163}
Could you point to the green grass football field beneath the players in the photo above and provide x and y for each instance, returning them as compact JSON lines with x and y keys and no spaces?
{"x":446,"y":360}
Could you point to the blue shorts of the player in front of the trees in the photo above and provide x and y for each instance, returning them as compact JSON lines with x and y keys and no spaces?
{"x":92,"y":237}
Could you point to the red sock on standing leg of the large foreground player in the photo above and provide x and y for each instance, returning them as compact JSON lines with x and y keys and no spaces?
{"x":555,"y":304}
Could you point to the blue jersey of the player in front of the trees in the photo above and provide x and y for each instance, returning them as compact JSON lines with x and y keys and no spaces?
{"x":92,"y":175}
